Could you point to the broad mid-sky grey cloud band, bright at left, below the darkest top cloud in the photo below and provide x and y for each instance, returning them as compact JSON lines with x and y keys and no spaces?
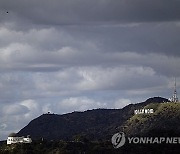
{"x":34,"y":51}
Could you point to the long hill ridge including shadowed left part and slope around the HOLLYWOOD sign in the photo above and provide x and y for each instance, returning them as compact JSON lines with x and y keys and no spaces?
{"x":101,"y":124}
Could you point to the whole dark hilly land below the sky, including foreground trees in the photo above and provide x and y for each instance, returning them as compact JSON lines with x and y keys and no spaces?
{"x":91,"y":131}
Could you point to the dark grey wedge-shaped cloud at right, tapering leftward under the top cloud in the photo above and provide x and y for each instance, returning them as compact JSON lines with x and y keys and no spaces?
{"x":144,"y":38}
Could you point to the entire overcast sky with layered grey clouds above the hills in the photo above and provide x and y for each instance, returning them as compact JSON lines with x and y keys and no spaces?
{"x":73,"y":55}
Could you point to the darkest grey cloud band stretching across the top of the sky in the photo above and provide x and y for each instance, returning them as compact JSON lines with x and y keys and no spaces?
{"x":93,"y":11}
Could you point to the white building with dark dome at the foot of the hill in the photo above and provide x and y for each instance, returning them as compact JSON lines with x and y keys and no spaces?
{"x":13,"y":138}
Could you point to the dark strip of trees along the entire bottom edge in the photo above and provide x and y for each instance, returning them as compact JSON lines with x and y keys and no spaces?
{"x":103,"y":147}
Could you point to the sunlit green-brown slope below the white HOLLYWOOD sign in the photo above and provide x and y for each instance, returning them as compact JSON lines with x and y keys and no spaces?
{"x":163,"y":121}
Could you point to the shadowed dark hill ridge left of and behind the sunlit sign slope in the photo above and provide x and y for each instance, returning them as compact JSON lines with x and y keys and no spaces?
{"x":99,"y":124}
